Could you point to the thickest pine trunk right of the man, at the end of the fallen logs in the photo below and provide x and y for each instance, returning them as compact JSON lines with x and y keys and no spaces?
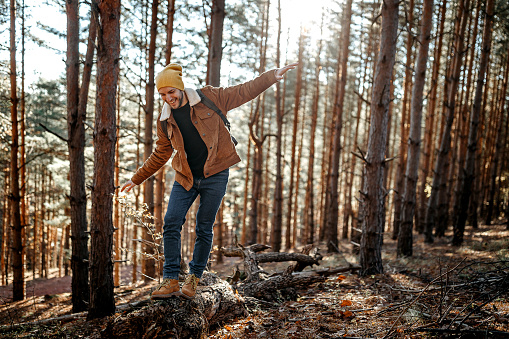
{"x":373,"y":190}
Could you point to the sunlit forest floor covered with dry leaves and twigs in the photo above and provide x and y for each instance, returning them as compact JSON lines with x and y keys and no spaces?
{"x":440,"y":292}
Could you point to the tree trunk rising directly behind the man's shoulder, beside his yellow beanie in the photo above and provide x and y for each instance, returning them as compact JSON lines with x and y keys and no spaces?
{"x":216,"y":43}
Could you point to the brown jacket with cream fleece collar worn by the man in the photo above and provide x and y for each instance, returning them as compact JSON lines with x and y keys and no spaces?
{"x":215,"y":135}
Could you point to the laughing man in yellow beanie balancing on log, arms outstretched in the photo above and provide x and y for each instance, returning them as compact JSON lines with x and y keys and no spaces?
{"x":205,"y":152}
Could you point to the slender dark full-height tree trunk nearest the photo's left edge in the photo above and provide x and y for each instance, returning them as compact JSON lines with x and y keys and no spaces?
{"x":18,"y":283}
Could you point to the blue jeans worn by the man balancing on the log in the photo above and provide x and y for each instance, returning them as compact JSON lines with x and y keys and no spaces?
{"x":211,"y":191}
